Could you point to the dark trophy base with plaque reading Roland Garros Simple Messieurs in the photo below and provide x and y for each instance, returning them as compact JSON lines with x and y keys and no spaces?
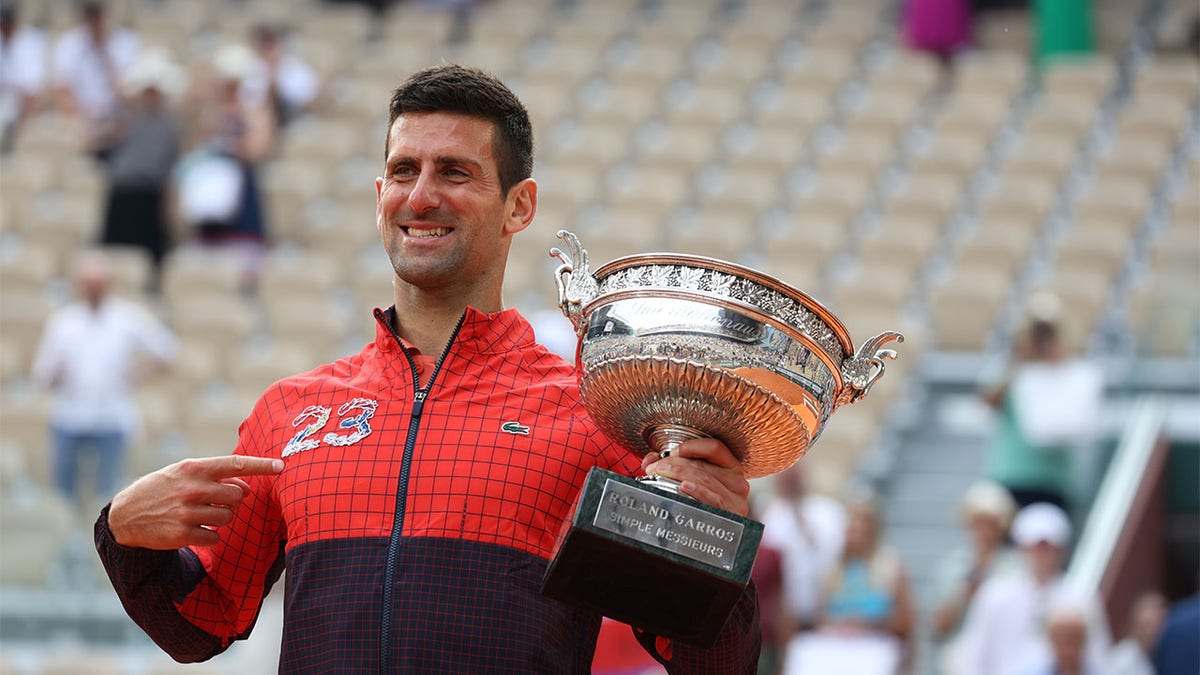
{"x":662,"y":563}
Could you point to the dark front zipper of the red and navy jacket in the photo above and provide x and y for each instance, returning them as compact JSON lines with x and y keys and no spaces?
{"x":419,"y":396}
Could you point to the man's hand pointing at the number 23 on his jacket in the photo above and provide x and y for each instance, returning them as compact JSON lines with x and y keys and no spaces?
{"x":184,"y":504}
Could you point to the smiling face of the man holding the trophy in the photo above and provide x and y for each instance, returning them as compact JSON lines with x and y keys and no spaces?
{"x":441,"y":213}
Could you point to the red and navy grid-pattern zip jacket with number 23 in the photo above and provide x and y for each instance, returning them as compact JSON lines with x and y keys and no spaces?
{"x":416,"y":524}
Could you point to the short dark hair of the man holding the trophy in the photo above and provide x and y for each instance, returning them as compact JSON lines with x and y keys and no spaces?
{"x":466,"y":91}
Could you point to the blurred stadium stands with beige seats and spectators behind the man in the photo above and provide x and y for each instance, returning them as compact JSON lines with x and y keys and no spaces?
{"x":1015,"y":186}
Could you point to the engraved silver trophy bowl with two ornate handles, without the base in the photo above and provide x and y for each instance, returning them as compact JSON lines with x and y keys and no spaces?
{"x":676,"y":347}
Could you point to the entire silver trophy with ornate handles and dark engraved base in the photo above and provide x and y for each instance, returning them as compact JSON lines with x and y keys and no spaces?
{"x":676,"y":348}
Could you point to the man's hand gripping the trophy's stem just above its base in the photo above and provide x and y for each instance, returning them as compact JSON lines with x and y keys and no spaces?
{"x":707,"y":471}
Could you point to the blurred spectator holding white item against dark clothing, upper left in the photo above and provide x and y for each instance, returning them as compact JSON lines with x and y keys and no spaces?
{"x":218,"y":183}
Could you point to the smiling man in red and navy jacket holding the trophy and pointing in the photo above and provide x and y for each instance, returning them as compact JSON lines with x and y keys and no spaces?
{"x":416,"y":491}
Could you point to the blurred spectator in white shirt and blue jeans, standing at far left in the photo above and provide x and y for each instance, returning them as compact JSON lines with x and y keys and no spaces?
{"x":89,"y":360}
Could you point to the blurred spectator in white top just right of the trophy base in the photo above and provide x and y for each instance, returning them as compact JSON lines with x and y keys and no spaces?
{"x":808,"y":530}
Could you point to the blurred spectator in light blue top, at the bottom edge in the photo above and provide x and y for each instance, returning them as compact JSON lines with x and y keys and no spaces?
{"x":867,"y":618}
